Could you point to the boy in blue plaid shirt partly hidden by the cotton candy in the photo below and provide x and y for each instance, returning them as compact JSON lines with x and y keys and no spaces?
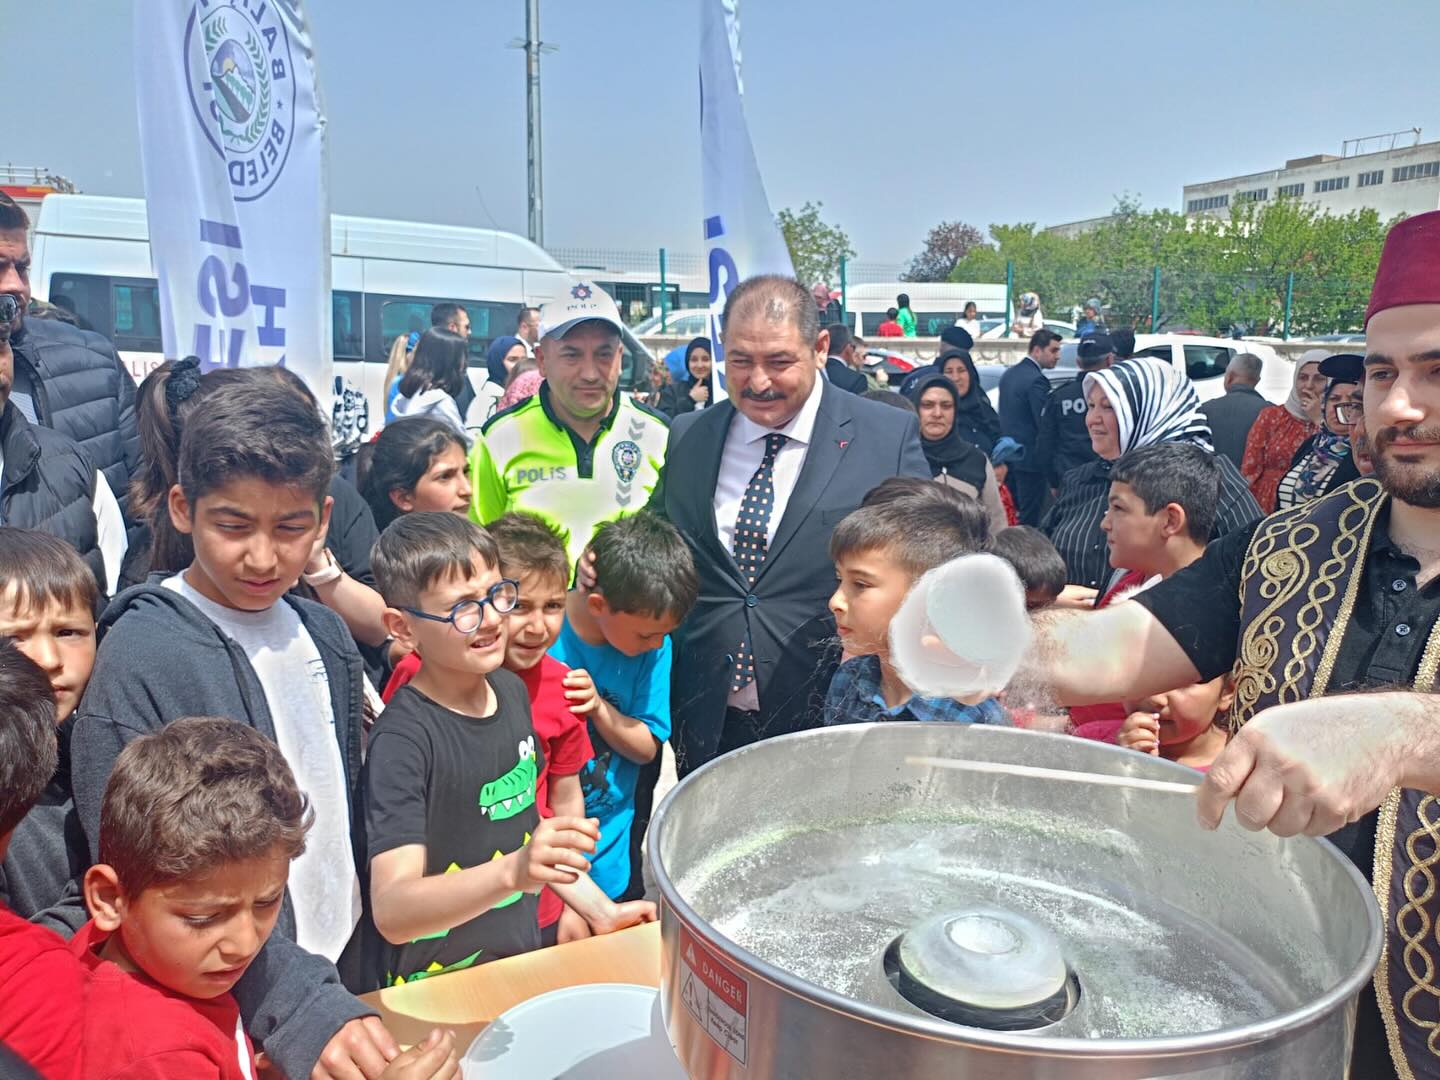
{"x":881,"y":551}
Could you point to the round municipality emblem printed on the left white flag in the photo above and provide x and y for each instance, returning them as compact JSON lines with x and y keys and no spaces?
{"x":243,"y":90}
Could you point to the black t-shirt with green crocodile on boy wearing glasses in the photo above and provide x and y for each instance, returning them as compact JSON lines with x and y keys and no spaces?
{"x":466,"y":788}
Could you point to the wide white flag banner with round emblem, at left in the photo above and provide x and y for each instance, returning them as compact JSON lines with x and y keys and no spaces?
{"x":233,"y":142}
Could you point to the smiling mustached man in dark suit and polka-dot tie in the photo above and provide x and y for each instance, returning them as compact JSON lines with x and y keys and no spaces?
{"x":757,"y":486}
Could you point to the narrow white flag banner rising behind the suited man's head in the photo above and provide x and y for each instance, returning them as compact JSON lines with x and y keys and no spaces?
{"x":742,"y":238}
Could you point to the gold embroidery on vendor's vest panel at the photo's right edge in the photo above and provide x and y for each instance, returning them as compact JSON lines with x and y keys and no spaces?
{"x":1382,"y":879}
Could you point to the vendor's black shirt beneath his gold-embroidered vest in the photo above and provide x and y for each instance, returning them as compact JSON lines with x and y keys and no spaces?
{"x":1383,"y":646}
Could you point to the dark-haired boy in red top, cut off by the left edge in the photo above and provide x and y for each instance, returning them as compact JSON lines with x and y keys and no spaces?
{"x":37,"y":1025}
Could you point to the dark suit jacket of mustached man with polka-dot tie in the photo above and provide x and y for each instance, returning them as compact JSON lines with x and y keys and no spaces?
{"x":856,"y":446}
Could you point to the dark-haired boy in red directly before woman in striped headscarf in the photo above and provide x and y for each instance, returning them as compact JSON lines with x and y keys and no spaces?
{"x":1163,"y":509}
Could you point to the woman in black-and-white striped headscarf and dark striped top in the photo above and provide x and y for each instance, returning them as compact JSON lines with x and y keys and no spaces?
{"x":1134,"y":404}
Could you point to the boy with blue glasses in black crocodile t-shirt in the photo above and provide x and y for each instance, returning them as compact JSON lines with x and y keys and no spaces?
{"x":457,"y":847}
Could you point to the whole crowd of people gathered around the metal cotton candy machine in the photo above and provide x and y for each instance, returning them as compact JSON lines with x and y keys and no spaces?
{"x":274,"y":735}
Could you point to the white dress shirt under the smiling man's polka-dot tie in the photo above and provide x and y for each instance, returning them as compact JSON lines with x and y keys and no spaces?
{"x":741,"y":457}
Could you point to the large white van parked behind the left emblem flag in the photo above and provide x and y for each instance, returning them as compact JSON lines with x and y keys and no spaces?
{"x":91,"y":256}
